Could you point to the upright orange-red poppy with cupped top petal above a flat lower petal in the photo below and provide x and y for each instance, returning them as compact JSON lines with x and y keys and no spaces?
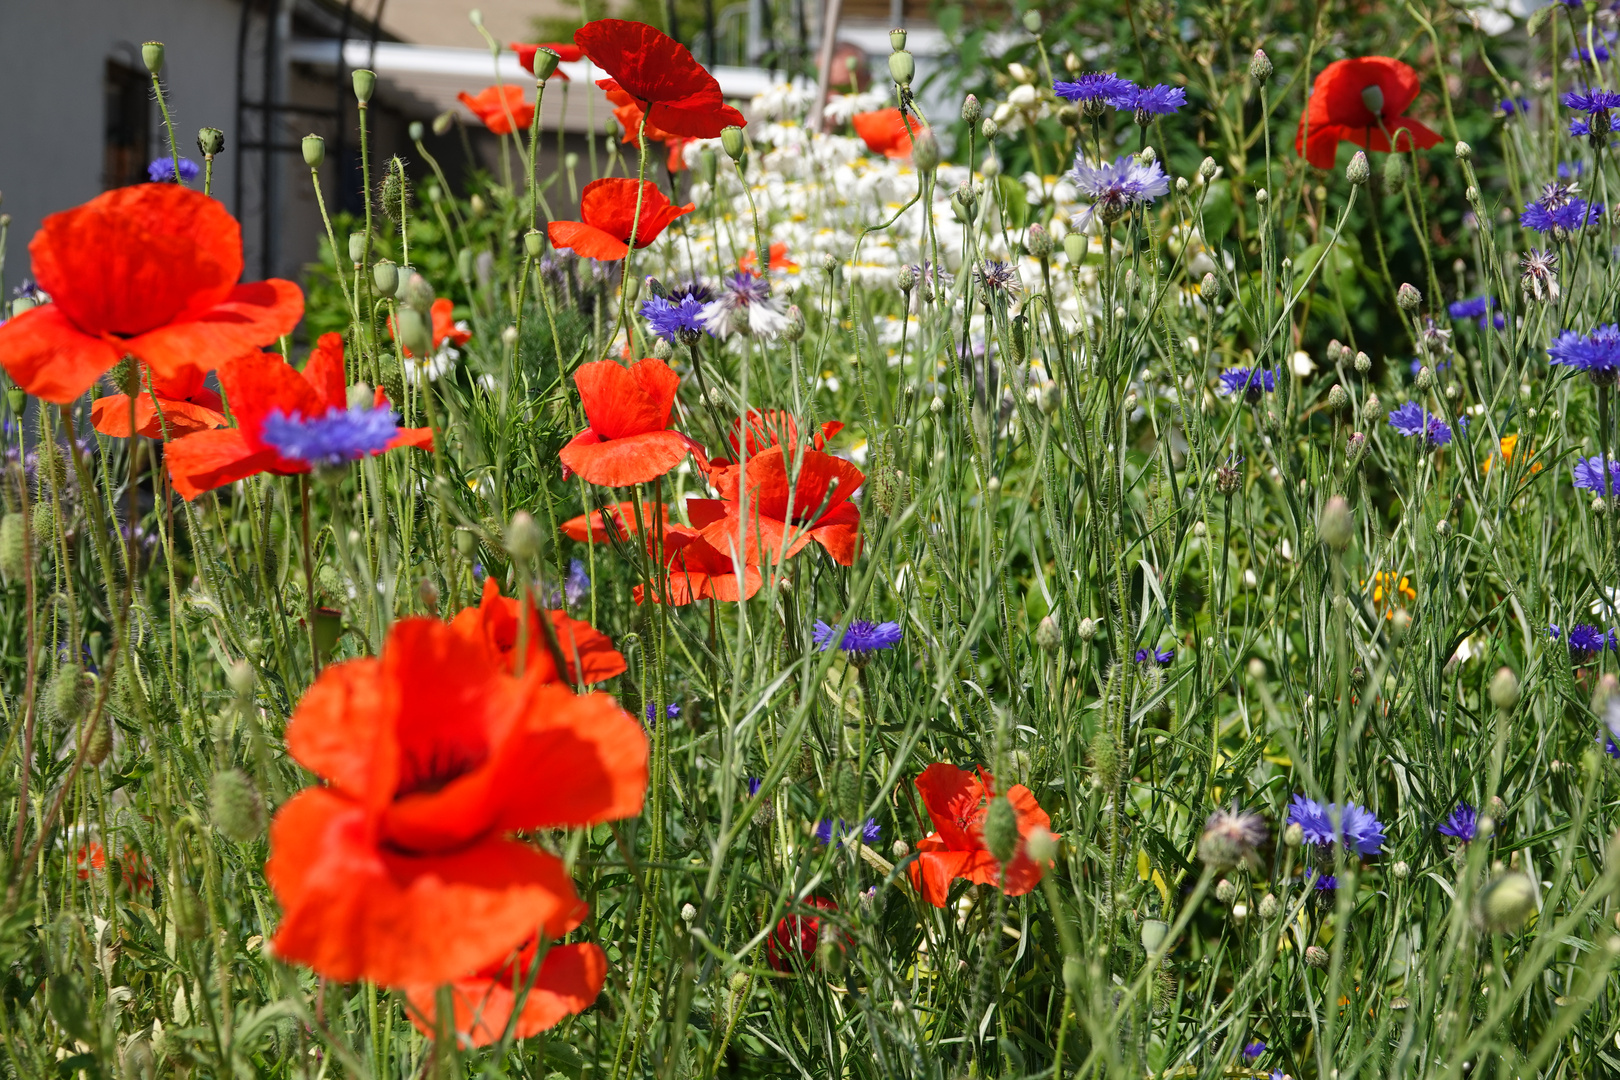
{"x":628,"y":410}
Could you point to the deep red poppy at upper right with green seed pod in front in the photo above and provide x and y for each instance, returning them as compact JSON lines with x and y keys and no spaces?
{"x":1349,"y":104}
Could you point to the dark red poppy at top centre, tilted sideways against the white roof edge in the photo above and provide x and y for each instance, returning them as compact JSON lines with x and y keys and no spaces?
{"x":659,"y":72}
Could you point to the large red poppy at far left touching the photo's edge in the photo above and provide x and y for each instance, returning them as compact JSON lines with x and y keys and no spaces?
{"x":151,"y":273}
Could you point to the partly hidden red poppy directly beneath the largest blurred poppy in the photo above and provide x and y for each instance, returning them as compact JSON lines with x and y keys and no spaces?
{"x":569,"y":980}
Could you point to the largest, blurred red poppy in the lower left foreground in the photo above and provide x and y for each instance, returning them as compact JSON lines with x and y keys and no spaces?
{"x":401,"y":869}
